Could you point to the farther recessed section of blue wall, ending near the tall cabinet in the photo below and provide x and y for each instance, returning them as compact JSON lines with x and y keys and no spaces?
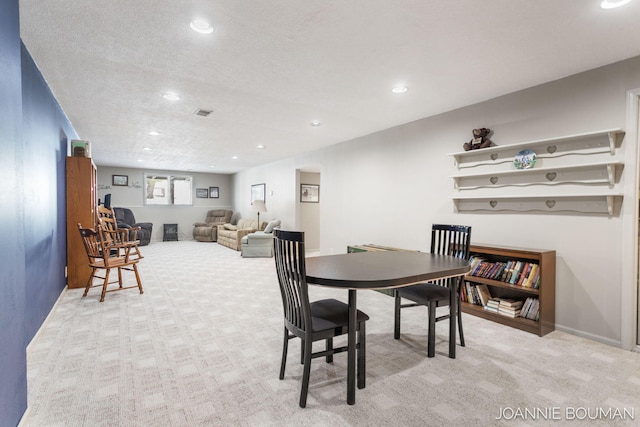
{"x":46,"y":133}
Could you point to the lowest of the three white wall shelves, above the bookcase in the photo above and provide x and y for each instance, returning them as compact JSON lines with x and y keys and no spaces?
{"x":587,"y":203}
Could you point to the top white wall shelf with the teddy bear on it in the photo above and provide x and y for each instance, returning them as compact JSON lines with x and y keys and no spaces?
{"x":605,"y":141}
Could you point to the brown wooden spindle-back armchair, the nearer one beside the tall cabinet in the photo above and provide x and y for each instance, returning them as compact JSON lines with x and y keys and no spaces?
{"x":106,"y":254}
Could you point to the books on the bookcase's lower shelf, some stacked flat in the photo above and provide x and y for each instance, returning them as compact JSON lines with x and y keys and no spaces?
{"x":479,"y":294}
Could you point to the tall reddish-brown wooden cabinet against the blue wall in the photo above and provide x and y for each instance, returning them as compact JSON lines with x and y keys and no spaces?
{"x":81,"y":208}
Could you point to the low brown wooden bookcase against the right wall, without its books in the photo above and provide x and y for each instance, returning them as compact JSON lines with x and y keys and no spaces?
{"x":545,"y":292}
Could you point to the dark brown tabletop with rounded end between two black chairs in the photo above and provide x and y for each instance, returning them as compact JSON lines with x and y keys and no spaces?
{"x":379,"y":270}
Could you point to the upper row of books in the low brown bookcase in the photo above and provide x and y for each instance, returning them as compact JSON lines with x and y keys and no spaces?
{"x":514,"y":272}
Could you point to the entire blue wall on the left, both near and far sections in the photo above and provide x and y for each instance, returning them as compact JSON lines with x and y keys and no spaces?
{"x":34,"y":134}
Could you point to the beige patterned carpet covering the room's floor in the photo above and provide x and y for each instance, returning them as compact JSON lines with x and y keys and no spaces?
{"x":202,"y":347}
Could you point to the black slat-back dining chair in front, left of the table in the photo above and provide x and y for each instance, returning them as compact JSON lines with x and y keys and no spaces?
{"x":311,"y":321}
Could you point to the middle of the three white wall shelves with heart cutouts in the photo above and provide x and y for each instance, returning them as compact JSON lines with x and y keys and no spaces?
{"x":586,"y":174}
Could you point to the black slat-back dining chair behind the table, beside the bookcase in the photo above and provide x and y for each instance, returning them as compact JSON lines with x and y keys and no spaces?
{"x":445,"y":240}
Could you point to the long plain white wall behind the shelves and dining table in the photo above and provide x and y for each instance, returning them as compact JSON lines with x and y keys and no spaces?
{"x":389,"y":187}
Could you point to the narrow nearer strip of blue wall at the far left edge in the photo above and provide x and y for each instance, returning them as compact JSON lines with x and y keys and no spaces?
{"x":13,"y":361}
